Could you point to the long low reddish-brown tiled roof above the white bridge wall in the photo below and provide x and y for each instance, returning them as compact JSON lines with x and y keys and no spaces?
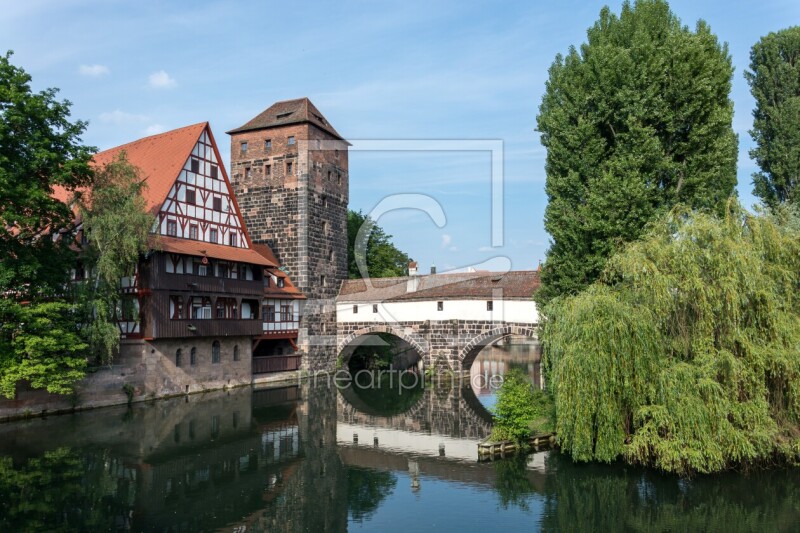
{"x":520,"y":284}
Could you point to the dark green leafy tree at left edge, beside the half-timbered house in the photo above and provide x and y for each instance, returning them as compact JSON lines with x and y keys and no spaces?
{"x":39,"y":150}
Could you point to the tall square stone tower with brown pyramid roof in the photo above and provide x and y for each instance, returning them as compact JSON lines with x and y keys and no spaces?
{"x":289,"y":171}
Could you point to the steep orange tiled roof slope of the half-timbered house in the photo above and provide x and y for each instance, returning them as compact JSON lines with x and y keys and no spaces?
{"x":159,"y":157}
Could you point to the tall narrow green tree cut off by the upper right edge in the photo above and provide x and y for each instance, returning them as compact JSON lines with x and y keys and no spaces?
{"x":774,"y":79}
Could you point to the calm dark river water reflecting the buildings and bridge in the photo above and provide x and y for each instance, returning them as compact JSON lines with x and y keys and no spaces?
{"x":311,"y":458}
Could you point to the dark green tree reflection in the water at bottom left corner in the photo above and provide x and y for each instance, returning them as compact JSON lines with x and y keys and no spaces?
{"x":61,"y":490}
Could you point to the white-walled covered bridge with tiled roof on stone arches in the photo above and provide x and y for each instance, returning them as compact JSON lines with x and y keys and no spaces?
{"x":446,"y":318}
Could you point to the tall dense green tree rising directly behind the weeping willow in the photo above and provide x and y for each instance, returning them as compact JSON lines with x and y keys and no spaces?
{"x":635,"y":121}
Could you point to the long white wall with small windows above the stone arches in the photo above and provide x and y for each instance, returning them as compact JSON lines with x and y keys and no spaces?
{"x":417,"y":311}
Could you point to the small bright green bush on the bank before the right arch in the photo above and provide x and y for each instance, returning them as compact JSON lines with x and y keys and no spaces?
{"x":520,"y":410}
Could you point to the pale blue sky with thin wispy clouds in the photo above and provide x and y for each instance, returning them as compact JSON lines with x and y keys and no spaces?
{"x":450,"y":90}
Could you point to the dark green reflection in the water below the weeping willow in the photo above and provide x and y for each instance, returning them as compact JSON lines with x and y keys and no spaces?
{"x":612,"y":498}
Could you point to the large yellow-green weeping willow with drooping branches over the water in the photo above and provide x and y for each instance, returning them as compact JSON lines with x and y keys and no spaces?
{"x":685,"y":355}
